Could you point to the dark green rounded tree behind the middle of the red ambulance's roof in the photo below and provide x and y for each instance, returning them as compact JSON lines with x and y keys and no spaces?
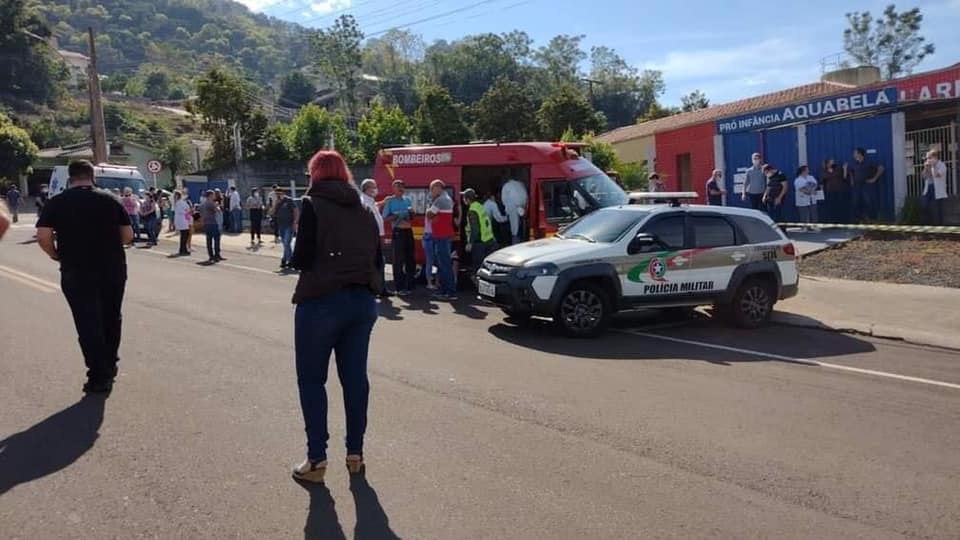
{"x":506,"y":112}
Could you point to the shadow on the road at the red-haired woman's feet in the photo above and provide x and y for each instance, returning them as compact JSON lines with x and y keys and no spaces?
{"x":324,"y":524}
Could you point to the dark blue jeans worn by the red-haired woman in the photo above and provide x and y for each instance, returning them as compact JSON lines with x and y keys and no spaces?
{"x":341,"y":323}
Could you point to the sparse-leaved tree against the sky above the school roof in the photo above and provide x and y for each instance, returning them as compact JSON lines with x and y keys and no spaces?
{"x":893,"y":42}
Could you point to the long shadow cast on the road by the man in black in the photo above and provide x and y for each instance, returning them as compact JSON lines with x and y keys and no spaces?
{"x":51,"y":445}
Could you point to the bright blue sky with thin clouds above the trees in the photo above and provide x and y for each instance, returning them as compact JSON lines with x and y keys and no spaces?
{"x":729,"y":49}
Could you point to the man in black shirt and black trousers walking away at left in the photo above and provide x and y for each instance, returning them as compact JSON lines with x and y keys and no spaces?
{"x":85,"y":229}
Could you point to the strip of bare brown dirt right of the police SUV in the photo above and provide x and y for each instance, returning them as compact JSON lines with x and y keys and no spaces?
{"x":893,"y":258}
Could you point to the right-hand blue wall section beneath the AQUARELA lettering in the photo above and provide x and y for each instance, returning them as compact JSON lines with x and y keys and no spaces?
{"x":837,"y":140}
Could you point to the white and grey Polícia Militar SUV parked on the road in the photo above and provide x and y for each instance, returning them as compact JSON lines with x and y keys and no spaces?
{"x":646,"y":256}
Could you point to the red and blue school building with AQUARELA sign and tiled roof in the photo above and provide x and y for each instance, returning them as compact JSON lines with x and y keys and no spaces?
{"x":896,"y":121}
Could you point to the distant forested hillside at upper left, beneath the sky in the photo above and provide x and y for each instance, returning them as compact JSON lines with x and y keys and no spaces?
{"x":187,"y":36}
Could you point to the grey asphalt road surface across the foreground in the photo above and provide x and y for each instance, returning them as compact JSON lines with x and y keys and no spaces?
{"x":478,"y":428}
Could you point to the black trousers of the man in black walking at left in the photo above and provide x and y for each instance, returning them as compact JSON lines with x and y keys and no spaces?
{"x":95,"y":300}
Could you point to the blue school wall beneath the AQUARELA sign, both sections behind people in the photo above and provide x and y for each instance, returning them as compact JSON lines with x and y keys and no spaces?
{"x":831,"y":139}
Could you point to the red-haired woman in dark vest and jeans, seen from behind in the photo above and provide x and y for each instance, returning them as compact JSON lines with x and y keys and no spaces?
{"x":335,"y":307}
